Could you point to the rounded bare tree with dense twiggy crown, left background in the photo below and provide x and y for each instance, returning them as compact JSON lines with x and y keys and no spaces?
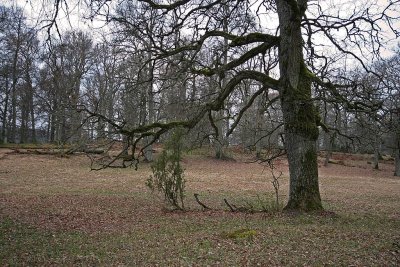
{"x":65,"y":67}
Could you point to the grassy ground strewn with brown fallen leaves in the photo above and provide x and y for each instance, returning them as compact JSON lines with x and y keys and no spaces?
{"x":55,"y":211}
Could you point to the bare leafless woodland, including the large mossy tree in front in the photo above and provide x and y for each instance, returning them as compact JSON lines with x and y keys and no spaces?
{"x":281,"y":77}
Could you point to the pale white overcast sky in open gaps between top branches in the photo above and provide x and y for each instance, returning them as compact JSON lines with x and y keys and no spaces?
{"x":76,"y":15}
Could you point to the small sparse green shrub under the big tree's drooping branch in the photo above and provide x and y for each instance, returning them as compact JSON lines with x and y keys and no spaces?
{"x":168,"y":174}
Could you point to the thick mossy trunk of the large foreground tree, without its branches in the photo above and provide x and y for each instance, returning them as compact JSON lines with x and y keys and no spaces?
{"x":299,"y":113}
